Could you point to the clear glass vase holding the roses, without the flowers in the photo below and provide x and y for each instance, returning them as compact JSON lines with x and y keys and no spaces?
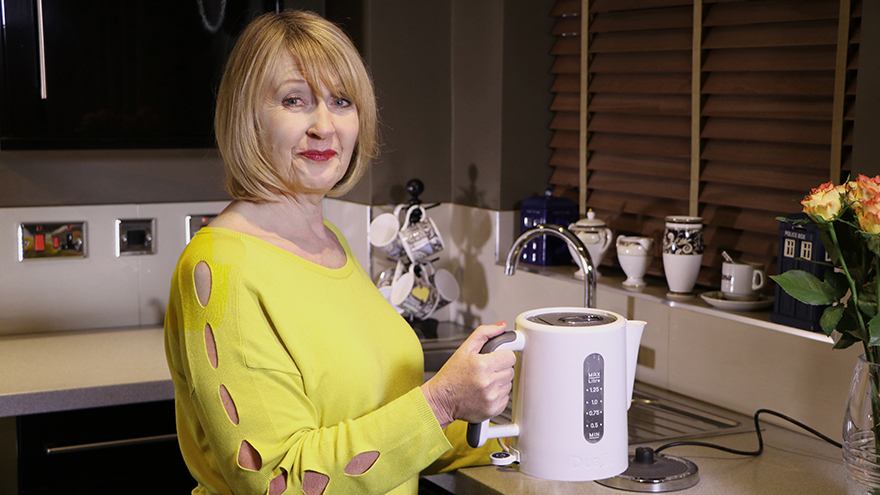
{"x":861,"y":431}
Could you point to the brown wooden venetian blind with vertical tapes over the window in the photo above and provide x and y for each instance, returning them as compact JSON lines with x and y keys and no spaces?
{"x":730,"y":110}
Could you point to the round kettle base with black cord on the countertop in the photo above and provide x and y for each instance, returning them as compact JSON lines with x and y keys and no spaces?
{"x":654,"y":473}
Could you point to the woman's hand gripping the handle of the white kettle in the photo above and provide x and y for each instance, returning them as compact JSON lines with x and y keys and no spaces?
{"x":471,"y":386}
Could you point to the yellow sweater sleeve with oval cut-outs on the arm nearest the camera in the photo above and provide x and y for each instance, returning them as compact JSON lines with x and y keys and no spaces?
{"x":247,"y":411}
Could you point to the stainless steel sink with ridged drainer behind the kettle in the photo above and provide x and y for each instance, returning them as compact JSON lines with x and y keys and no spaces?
{"x":656,"y":415}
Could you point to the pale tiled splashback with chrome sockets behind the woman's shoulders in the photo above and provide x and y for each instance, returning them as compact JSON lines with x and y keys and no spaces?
{"x":103,"y":290}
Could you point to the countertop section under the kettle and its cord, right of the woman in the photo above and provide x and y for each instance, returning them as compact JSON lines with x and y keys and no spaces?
{"x":792,"y":463}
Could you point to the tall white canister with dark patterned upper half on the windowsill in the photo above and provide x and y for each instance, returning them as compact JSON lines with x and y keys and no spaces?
{"x":682,"y":252}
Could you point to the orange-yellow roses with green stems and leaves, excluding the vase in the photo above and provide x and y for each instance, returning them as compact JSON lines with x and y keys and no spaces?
{"x":848,"y":218}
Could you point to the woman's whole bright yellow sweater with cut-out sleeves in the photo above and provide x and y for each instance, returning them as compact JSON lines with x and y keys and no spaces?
{"x":317,"y":364}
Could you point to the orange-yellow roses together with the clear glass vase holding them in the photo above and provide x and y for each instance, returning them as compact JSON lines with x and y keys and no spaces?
{"x":848,"y":218}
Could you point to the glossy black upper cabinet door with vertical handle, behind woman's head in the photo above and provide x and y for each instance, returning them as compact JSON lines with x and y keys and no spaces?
{"x":115,"y":73}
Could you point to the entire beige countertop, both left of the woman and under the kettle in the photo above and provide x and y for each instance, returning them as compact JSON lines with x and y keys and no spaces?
{"x":108,"y":367}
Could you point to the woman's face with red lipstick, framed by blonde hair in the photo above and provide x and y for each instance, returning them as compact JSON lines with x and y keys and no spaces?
{"x":314,"y":135}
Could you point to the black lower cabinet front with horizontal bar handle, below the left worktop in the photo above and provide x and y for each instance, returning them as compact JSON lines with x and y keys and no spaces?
{"x":128,"y":448}
